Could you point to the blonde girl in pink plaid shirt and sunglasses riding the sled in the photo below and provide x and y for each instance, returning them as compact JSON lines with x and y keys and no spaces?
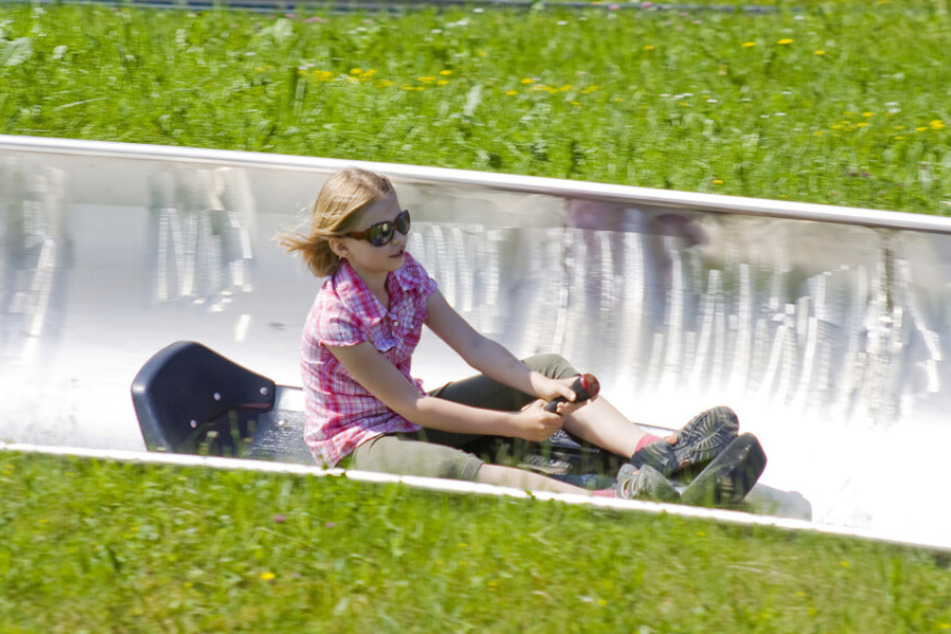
{"x":363,"y":404}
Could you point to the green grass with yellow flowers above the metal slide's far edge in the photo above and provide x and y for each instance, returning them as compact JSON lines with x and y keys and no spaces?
{"x":841,"y":102}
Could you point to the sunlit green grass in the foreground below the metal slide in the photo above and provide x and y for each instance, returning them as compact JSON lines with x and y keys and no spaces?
{"x":99,"y":546}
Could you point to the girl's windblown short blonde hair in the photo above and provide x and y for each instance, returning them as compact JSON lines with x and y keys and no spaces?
{"x":335,"y":213}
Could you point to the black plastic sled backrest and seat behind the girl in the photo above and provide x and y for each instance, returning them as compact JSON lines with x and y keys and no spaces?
{"x":190,"y":399}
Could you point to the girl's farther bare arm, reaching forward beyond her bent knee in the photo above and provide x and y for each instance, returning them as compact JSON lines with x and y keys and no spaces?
{"x":487,"y":356}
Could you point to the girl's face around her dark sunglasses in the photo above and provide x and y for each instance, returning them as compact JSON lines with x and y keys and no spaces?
{"x":370,"y":261}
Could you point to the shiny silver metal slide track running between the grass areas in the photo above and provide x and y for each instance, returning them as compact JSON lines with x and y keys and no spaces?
{"x":825,"y":328}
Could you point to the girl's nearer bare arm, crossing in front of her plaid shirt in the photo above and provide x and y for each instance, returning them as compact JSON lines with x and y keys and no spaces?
{"x":375,"y":373}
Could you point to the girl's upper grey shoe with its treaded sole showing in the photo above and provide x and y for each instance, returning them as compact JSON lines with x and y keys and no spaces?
{"x":700,"y":440}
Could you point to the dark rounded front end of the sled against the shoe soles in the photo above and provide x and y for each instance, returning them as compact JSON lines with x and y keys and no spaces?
{"x":730,"y":476}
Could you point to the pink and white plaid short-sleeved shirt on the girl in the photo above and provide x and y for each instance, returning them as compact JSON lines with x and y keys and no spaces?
{"x":340,"y":413}
